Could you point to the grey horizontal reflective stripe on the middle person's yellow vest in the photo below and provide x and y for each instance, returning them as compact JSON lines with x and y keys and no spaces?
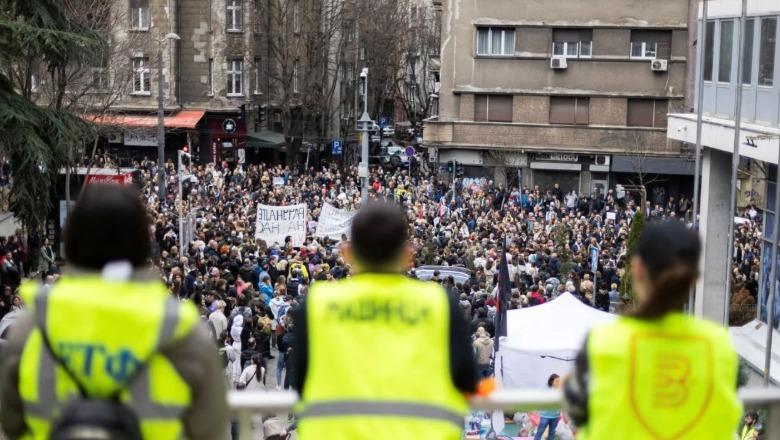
{"x":364,"y":408}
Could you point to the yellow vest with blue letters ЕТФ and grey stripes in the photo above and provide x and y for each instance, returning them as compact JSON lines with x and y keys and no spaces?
{"x":105,"y":331}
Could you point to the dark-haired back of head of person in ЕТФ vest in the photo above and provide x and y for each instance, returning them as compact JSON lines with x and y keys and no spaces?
{"x":109,"y":223}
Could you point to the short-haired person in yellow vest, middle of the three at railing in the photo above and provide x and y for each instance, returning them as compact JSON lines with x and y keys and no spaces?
{"x":379,"y":355}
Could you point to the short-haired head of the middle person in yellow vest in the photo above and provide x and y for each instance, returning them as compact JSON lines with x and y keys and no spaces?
{"x":379,"y":236}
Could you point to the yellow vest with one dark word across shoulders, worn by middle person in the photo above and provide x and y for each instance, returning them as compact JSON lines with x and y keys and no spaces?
{"x":379,"y":362}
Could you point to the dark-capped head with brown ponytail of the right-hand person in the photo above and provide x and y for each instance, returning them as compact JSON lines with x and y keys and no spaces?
{"x":670,"y":253}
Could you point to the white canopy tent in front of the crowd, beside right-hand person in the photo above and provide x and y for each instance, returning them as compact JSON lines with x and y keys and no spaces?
{"x":545,"y":339}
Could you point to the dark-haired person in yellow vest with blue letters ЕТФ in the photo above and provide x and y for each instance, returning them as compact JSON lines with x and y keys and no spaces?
{"x":107,"y":331}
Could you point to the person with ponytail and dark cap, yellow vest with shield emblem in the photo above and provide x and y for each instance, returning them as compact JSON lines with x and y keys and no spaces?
{"x":657,"y":373}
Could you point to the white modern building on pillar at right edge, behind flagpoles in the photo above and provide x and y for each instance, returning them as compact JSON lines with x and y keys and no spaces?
{"x":758,"y":144}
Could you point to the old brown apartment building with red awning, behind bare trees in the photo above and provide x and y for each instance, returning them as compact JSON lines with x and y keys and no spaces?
{"x":225,"y":85}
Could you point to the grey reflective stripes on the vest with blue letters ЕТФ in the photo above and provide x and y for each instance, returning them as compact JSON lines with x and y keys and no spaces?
{"x":139,"y":388}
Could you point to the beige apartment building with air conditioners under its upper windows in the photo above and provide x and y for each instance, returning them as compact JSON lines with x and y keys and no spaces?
{"x":570,"y":92}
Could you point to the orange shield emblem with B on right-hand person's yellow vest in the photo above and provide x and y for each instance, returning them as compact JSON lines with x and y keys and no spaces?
{"x":671,"y":379}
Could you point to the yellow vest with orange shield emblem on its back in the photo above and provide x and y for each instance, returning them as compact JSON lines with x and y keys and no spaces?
{"x":673,"y":378}
